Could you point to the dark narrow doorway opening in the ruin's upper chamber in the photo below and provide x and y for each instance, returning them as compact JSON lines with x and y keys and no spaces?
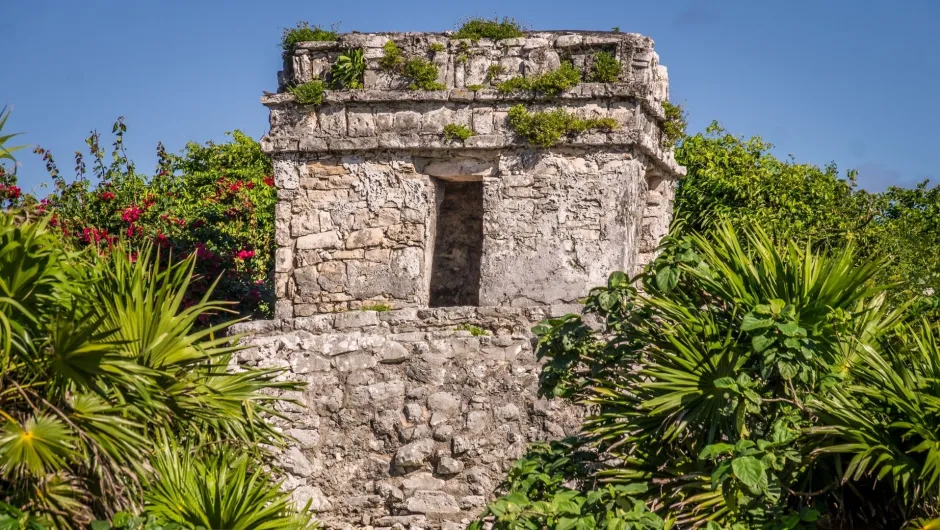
{"x":458,"y":245}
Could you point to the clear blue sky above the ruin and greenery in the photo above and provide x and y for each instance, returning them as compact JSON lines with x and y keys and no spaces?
{"x":853,"y":82}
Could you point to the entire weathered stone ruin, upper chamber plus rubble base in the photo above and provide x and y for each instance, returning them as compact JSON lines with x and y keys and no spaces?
{"x":410,"y":268}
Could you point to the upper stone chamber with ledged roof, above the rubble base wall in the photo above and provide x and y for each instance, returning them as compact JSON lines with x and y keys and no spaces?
{"x":362,"y":177}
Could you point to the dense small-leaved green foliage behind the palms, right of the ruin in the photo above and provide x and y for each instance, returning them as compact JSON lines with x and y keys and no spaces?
{"x":741,"y":180}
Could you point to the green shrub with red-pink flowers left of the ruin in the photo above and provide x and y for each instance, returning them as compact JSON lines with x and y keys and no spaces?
{"x":214,"y":200}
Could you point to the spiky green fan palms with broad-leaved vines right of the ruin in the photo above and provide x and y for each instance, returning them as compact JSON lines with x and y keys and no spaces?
{"x":749,"y":385}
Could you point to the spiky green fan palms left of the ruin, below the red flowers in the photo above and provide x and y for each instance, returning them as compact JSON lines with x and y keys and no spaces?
{"x":101,"y":358}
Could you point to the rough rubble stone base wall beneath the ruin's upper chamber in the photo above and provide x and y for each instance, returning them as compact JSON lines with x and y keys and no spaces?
{"x":406,"y":418}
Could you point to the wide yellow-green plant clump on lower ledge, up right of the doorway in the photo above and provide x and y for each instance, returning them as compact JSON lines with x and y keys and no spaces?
{"x":547,"y":128}
